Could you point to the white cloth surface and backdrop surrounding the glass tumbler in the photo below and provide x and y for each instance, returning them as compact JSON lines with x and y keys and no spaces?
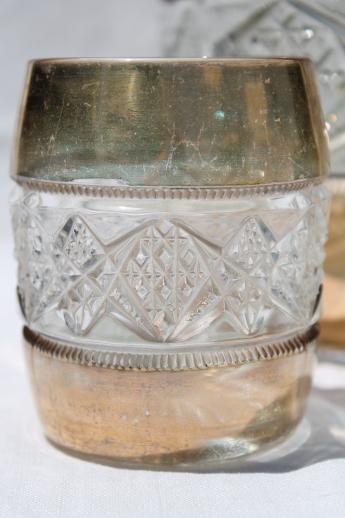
{"x":304,"y":478}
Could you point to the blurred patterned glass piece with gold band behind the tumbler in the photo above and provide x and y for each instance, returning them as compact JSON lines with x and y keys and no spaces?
{"x":285,"y":27}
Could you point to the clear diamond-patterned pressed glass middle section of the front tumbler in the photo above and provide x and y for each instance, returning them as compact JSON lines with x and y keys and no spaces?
{"x":177,"y":271}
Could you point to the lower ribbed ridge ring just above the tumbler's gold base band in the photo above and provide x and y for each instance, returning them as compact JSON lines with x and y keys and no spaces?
{"x":174,"y":361}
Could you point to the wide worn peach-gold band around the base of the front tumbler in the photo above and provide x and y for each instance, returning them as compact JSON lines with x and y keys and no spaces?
{"x":167,"y":416}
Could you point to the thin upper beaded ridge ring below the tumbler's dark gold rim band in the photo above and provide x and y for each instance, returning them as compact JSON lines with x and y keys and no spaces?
{"x":178,"y":193}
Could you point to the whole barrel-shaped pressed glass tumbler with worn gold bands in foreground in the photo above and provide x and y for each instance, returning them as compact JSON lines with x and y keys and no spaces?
{"x":169,"y":222}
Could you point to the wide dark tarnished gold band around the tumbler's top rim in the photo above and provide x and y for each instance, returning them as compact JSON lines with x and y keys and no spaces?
{"x":206,"y":122}
